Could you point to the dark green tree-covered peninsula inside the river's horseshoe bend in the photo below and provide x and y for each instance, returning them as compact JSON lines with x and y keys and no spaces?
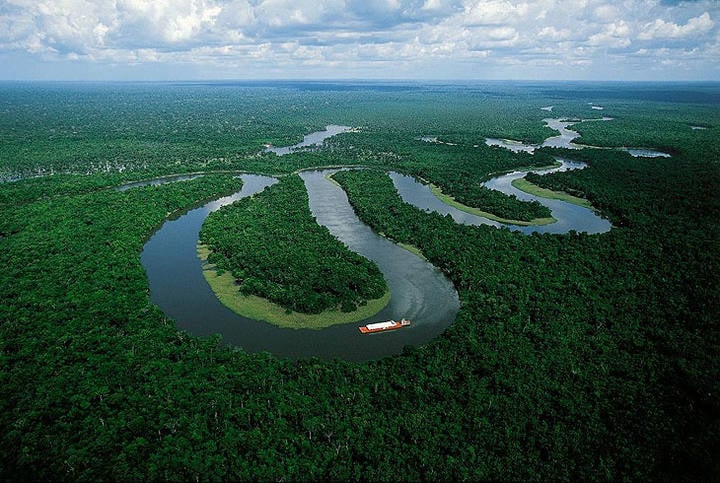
{"x":275,"y":249}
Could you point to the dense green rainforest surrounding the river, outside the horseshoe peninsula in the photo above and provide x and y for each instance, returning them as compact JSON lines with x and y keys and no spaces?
{"x":572,"y":357}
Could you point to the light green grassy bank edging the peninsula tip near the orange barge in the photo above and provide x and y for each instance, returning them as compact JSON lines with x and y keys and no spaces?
{"x":258,"y":308}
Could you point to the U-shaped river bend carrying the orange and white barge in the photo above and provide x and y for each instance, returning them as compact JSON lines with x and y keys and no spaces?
{"x":419,"y":290}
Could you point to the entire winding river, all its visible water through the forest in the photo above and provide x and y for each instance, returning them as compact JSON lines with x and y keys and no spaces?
{"x":419,"y":290}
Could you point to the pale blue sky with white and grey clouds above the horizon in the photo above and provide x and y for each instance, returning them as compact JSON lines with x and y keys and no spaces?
{"x":653,"y":40}
